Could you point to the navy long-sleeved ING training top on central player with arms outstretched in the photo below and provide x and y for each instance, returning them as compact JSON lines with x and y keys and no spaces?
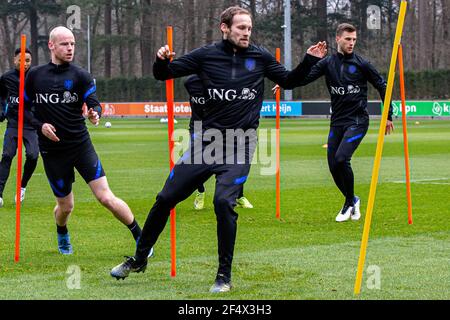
{"x":233,"y":81}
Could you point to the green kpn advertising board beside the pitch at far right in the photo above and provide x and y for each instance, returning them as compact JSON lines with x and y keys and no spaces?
{"x":423,"y":108}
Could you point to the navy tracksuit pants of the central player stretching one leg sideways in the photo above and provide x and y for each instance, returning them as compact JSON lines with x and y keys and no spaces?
{"x":184,"y":179}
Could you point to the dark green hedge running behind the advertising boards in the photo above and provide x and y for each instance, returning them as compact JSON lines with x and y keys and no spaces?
{"x":419,"y":85}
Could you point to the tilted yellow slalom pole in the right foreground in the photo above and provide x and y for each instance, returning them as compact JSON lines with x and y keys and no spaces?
{"x":379,"y":151}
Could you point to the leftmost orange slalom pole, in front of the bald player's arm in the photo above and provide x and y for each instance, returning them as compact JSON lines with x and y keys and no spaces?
{"x":19,"y":143}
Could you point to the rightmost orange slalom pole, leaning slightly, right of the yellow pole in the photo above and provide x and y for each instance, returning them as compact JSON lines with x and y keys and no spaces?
{"x":405,"y":132}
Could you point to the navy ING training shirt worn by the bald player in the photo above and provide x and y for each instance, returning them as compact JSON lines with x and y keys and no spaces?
{"x":57,"y":94}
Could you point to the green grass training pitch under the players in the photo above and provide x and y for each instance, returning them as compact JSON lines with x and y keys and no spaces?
{"x":306,"y":255}
